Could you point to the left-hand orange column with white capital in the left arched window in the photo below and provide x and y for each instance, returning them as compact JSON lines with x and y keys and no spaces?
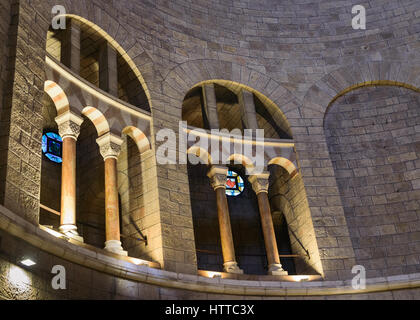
{"x":69,"y":130}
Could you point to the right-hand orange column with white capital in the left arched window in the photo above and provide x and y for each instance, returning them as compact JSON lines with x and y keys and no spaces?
{"x":110,"y":147}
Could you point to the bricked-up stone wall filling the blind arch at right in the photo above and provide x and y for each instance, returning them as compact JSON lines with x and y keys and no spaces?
{"x":373,"y":138}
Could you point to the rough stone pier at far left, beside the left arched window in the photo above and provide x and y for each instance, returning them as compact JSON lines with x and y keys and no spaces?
{"x":21,"y":114}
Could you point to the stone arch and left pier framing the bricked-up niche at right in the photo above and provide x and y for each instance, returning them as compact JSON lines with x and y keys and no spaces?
{"x":318,"y":173}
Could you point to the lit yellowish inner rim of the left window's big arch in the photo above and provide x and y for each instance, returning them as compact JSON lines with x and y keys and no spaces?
{"x":119,"y":49}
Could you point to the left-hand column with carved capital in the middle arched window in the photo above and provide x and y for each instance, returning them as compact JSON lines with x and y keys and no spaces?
{"x":217,"y":175}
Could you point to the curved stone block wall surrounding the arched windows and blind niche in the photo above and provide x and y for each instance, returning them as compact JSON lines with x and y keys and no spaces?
{"x":281,"y":50}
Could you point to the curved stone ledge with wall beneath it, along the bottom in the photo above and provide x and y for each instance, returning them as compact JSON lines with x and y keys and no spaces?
{"x":90,"y":274}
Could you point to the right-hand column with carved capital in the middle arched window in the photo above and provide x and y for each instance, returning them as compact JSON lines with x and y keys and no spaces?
{"x":260,"y":186}
